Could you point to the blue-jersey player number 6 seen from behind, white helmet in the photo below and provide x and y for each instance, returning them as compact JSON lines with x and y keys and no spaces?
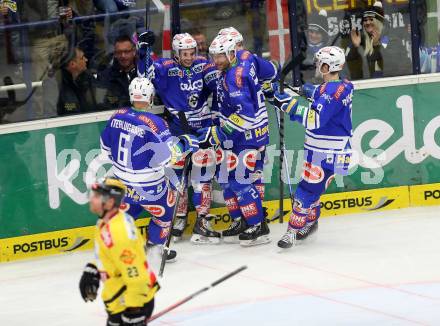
{"x":140,"y":147}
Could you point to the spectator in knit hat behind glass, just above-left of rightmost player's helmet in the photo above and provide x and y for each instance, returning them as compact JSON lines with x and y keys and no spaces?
{"x":317,"y":38}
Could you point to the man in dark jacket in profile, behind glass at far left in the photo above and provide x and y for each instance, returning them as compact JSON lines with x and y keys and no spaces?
{"x":77,"y":90}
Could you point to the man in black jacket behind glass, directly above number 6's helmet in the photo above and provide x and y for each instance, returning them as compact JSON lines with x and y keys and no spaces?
{"x":116,"y":78}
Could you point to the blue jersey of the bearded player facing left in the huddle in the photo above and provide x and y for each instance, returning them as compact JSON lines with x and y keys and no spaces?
{"x":242,"y":110}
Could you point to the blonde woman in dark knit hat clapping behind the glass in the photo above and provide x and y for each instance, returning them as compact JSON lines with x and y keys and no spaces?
{"x":385,"y":54}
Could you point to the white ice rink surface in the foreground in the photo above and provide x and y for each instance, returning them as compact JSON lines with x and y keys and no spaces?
{"x":380,"y":268}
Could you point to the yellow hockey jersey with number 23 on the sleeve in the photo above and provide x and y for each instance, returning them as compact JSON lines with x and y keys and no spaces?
{"x":122,"y":263}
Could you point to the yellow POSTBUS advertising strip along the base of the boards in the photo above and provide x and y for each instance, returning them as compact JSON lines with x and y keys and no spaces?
{"x":66,"y":241}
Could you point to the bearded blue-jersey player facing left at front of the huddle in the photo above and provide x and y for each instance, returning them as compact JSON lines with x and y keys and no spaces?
{"x":241,"y":135}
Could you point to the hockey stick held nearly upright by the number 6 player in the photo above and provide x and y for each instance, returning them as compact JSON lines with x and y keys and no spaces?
{"x":180,"y":190}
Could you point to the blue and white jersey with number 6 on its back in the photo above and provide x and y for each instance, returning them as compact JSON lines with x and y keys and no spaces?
{"x":139,"y":145}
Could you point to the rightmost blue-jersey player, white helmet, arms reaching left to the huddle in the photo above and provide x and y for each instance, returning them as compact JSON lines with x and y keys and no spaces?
{"x":327,"y":142}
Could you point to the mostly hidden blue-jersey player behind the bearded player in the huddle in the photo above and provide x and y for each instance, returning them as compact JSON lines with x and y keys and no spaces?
{"x":267,"y":74}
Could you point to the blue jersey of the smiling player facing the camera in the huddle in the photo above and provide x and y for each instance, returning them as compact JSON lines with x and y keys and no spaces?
{"x":183,"y":89}
